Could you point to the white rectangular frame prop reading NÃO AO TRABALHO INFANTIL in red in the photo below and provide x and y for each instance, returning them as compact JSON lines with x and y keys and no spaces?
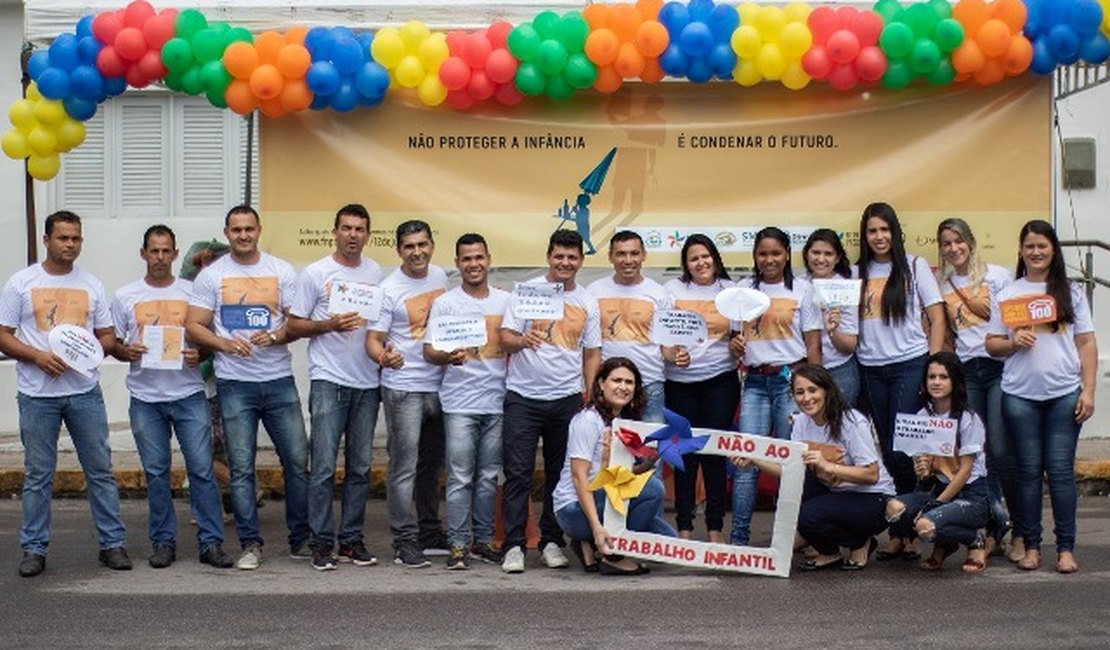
{"x":774,"y":561}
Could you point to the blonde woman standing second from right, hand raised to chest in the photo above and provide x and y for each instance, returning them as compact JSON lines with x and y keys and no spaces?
{"x":968,"y":287}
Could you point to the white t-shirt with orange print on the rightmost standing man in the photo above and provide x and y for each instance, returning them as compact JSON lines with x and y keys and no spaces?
{"x":627,"y":323}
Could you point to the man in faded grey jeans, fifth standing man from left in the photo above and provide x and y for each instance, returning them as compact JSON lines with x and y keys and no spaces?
{"x":410,"y":393}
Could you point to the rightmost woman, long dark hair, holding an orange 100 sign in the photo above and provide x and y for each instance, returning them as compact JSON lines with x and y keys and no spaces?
{"x":1048,"y":389}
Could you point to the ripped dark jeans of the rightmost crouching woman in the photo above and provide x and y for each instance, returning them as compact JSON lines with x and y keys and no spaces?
{"x":961,"y":521}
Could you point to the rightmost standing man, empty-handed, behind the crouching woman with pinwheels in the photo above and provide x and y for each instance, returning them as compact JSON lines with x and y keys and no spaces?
{"x":629,"y":302}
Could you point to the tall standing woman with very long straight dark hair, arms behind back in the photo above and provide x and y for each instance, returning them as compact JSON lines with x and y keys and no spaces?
{"x":894,"y":346}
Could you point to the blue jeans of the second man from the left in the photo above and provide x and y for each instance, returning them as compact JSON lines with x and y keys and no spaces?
{"x":189,"y":419}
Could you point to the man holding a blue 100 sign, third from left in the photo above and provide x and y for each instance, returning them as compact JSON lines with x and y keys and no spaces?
{"x":238,"y":310}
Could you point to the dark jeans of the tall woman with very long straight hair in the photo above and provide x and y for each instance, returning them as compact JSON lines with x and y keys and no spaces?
{"x":889,"y":391}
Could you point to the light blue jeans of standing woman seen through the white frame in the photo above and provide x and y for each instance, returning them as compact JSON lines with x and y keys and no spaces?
{"x":766,"y":407}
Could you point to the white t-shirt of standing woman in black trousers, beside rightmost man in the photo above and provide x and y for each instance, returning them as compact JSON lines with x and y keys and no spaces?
{"x":710,"y":359}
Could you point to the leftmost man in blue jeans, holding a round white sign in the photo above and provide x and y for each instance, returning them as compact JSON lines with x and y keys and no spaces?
{"x":34,"y":302}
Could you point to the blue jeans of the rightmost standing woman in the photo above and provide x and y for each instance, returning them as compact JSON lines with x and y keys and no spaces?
{"x":1044,"y":435}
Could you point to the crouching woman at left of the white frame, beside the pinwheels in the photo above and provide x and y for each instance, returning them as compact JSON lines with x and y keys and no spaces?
{"x":618,"y":392}
